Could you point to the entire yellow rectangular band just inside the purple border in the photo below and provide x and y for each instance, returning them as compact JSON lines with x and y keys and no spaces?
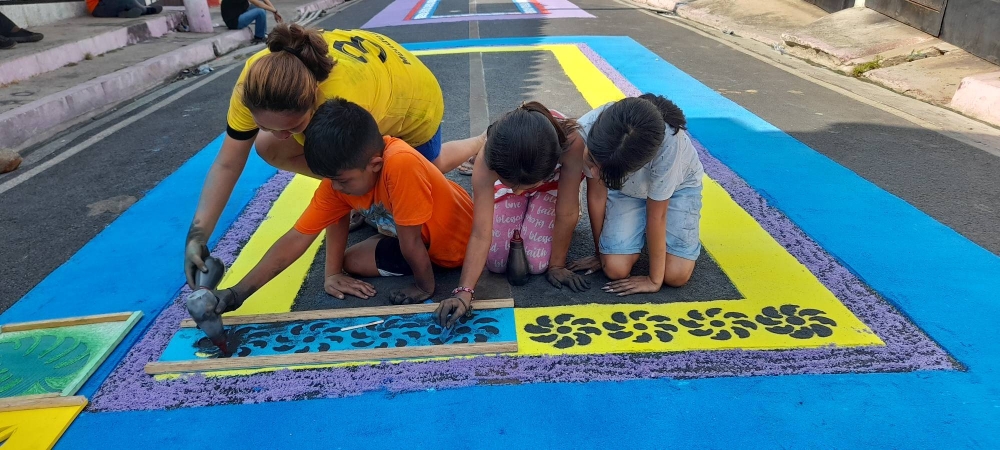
{"x":757,"y":265}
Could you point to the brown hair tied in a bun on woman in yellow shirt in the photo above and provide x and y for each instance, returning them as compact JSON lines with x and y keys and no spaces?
{"x":286,"y":79}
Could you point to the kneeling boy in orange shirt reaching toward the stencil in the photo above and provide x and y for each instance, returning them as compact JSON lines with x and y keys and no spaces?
{"x":422,"y":217}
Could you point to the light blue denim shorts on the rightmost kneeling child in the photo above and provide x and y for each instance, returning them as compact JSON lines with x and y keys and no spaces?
{"x":624,"y":231}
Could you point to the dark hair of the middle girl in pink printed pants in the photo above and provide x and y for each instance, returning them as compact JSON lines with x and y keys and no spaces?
{"x":524,"y":145}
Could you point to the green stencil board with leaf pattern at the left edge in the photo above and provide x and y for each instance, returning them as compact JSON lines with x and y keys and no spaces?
{"x":57,"y":360}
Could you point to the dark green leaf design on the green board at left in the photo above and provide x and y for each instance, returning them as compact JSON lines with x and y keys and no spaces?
{"x":40,"y":363}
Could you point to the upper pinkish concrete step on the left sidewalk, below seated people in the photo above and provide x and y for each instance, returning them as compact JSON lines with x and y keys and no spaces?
{"x":53,"y":58}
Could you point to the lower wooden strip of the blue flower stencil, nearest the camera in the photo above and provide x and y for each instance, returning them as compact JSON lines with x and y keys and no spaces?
{"x":295,"y":359}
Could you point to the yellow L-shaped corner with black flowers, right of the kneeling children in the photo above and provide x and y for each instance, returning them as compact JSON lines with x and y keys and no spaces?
{"x":757,"y":265}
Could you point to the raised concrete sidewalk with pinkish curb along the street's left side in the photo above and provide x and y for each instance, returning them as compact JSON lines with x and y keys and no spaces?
{"x":86,"y":66}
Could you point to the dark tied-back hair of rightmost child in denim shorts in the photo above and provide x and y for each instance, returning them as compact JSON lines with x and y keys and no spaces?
{"x":628,"y":134}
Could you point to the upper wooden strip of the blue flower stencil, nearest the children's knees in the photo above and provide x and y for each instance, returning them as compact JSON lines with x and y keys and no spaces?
{"x":339,"y":313}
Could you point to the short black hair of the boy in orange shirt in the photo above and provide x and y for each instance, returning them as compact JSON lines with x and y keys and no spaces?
{"x":341,"y":136}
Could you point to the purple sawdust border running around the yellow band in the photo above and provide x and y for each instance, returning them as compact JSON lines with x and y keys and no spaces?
{"x":906,"y":349}
